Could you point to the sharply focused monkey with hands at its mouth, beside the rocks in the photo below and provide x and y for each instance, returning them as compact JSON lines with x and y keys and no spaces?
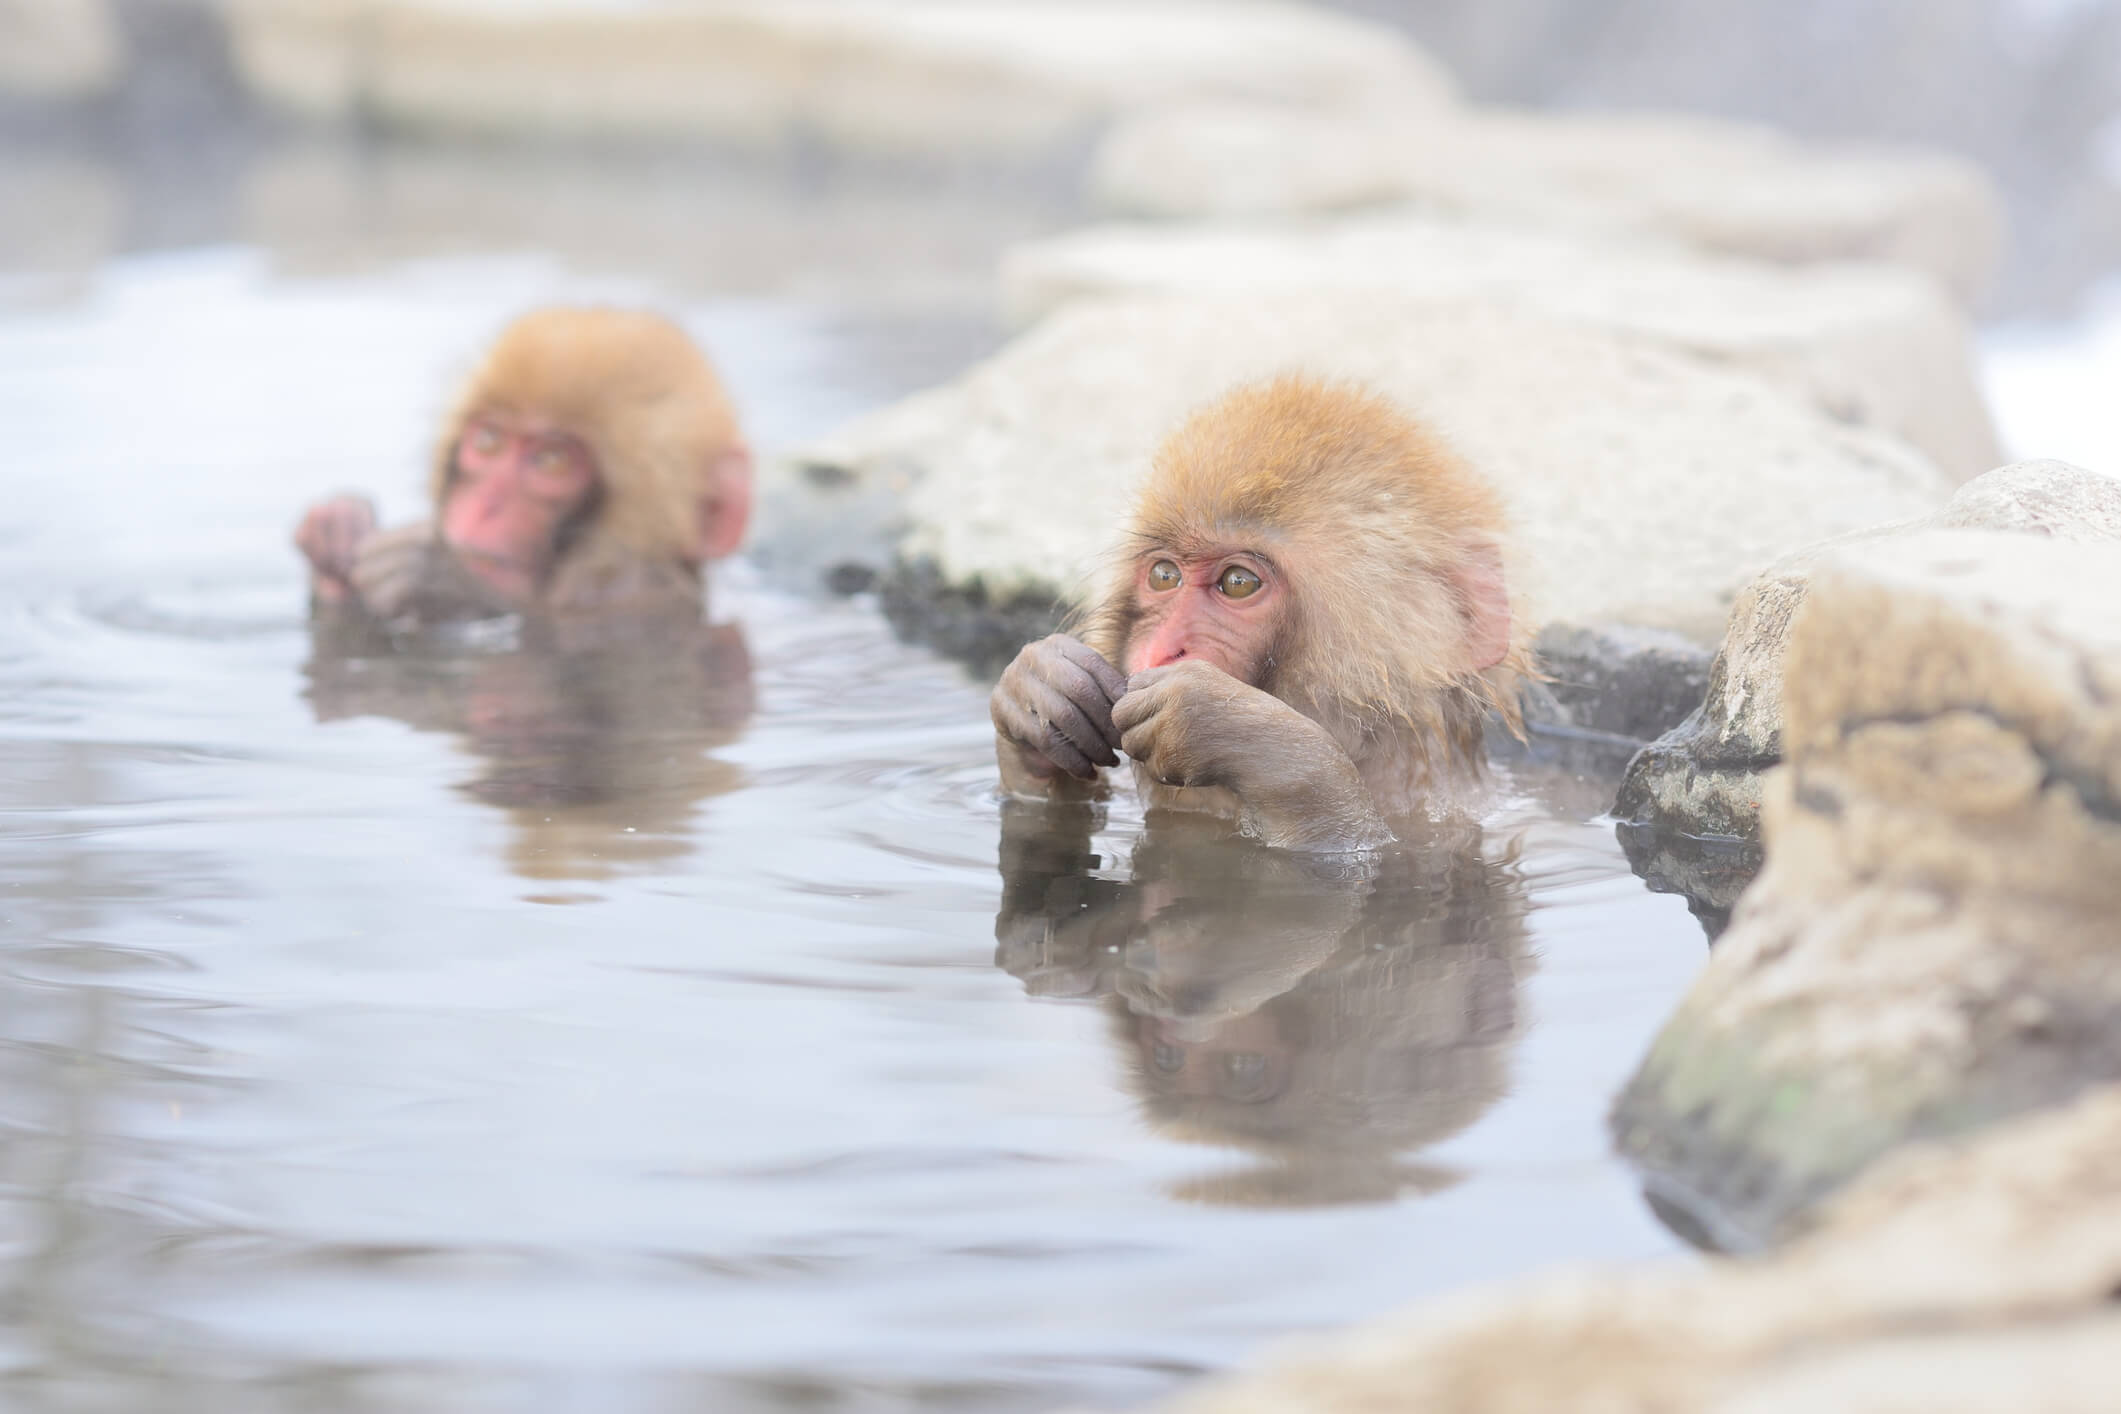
{"x":1305,"y":626}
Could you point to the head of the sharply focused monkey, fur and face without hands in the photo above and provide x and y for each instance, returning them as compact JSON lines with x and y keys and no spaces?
{"x":1320,"y":546}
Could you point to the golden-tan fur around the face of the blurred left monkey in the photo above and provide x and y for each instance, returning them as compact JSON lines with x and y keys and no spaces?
{"x":637,"y":391}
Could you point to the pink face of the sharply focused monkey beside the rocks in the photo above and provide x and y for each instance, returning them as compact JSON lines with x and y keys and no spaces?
{"x":1225,"y":609}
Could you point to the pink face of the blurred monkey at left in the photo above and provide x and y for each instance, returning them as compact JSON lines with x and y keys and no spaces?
{"x":519,"y":482}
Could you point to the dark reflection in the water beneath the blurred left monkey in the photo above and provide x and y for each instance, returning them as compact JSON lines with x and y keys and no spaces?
{"x":597,"y":747}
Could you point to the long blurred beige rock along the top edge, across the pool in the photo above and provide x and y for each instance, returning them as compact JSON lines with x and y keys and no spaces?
{"x":928,"y":79}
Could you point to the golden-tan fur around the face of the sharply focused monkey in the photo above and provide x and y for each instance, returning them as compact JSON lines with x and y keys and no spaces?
{"x":1378,"y":527}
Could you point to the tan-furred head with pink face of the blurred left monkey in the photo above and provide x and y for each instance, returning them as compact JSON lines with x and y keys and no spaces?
{"x":591,"y":429}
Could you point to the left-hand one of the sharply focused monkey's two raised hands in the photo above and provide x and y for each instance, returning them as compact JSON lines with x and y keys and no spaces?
{"x":1053,"y":715}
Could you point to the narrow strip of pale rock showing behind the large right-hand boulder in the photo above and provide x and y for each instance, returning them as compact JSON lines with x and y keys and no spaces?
{"x":1704,"y":777}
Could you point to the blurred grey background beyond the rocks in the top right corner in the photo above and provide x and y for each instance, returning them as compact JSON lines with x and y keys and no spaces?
{"x":2027,"y":88}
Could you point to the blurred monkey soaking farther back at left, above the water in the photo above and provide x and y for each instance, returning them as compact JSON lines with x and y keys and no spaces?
{"x":593,"y":465}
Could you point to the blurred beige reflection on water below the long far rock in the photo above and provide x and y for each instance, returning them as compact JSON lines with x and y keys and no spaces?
{"x":676,"y":222}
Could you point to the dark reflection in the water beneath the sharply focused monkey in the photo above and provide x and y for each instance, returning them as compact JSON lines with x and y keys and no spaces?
{"x":1329,"y":1019}
